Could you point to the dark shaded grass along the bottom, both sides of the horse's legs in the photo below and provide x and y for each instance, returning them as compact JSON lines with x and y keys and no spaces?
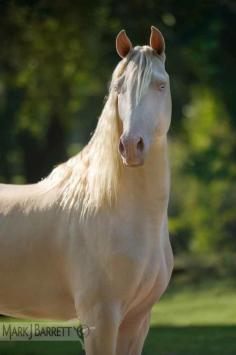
{"x":164,"y":340}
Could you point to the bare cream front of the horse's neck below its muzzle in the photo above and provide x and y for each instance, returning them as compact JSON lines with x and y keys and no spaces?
{"x":148,"y":186}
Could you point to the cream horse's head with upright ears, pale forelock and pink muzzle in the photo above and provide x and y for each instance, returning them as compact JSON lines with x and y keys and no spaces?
{"x":144,"y":100}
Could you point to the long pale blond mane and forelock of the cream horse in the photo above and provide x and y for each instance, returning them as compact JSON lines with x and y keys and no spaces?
{"x":91,"y":179}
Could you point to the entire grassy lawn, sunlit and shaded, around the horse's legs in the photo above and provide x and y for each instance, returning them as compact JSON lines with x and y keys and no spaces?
{"x":196,"y":319}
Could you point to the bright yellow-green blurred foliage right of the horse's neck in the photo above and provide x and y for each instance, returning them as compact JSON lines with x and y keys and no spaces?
{"x":204,"y":170}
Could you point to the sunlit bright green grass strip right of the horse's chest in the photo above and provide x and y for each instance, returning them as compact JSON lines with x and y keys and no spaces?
{"x":201,"y":304}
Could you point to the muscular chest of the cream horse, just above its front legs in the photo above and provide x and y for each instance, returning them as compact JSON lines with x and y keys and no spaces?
{"x":139,"y":269}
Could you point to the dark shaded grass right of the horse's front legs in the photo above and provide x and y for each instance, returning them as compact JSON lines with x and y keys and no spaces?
{"x":191,"y":340}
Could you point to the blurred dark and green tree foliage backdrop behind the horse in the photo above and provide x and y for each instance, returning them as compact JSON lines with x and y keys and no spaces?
{"x":55,"y":61}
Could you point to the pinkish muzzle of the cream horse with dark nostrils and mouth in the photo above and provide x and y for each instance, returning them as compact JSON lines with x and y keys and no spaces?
{"x":132,"y":150}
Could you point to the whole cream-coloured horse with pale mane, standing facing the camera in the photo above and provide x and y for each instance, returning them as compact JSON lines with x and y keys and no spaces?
{"x":91,"y":240}
